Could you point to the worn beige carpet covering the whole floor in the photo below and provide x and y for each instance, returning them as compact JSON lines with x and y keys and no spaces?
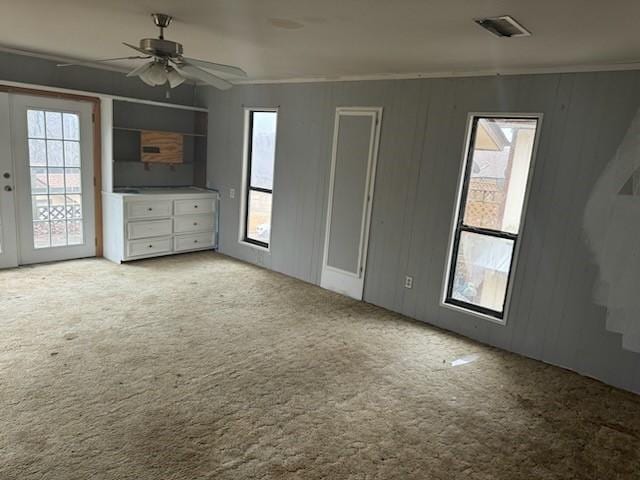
{"x":202,"y":367}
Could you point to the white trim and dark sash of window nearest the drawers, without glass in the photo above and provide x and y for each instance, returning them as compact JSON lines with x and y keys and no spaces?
{"x":246,"y":177}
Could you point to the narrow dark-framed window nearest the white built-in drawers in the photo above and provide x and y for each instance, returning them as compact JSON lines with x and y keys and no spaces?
{"x":260,"y":160}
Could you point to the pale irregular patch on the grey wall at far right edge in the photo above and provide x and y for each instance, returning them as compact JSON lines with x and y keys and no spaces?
{"x":612,"y":227}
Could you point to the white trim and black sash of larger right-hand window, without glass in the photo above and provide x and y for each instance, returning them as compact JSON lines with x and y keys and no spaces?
{"x":458,"y":226}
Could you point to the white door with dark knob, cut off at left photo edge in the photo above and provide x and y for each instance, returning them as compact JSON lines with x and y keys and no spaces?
{"x":8,"y":231}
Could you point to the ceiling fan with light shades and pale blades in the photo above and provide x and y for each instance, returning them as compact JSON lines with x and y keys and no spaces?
{"x":167,"y":64}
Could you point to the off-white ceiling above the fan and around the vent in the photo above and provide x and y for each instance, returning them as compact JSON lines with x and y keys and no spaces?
{"x":303,"y":39}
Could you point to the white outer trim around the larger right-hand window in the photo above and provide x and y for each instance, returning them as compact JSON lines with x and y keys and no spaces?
{"x":456,"y":212}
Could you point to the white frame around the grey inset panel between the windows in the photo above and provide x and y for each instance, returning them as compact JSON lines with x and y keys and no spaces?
{"x":332,"y":276}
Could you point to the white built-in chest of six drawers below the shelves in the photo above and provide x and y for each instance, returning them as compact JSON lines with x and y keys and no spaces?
{"x":150,"y":222}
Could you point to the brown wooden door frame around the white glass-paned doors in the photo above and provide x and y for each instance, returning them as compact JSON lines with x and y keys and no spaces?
{"x":97,"y":147}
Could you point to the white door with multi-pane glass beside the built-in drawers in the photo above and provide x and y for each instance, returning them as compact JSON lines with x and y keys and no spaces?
{"x":52,"y":143}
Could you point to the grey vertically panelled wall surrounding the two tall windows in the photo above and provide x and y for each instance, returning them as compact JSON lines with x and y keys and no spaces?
{"x":553,"y":316}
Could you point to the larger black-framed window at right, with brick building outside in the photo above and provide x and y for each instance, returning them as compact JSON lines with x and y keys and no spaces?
{"x":489,"y":219}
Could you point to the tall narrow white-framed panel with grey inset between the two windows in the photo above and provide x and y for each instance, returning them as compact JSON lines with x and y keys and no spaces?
{"x":353,"y":170}
